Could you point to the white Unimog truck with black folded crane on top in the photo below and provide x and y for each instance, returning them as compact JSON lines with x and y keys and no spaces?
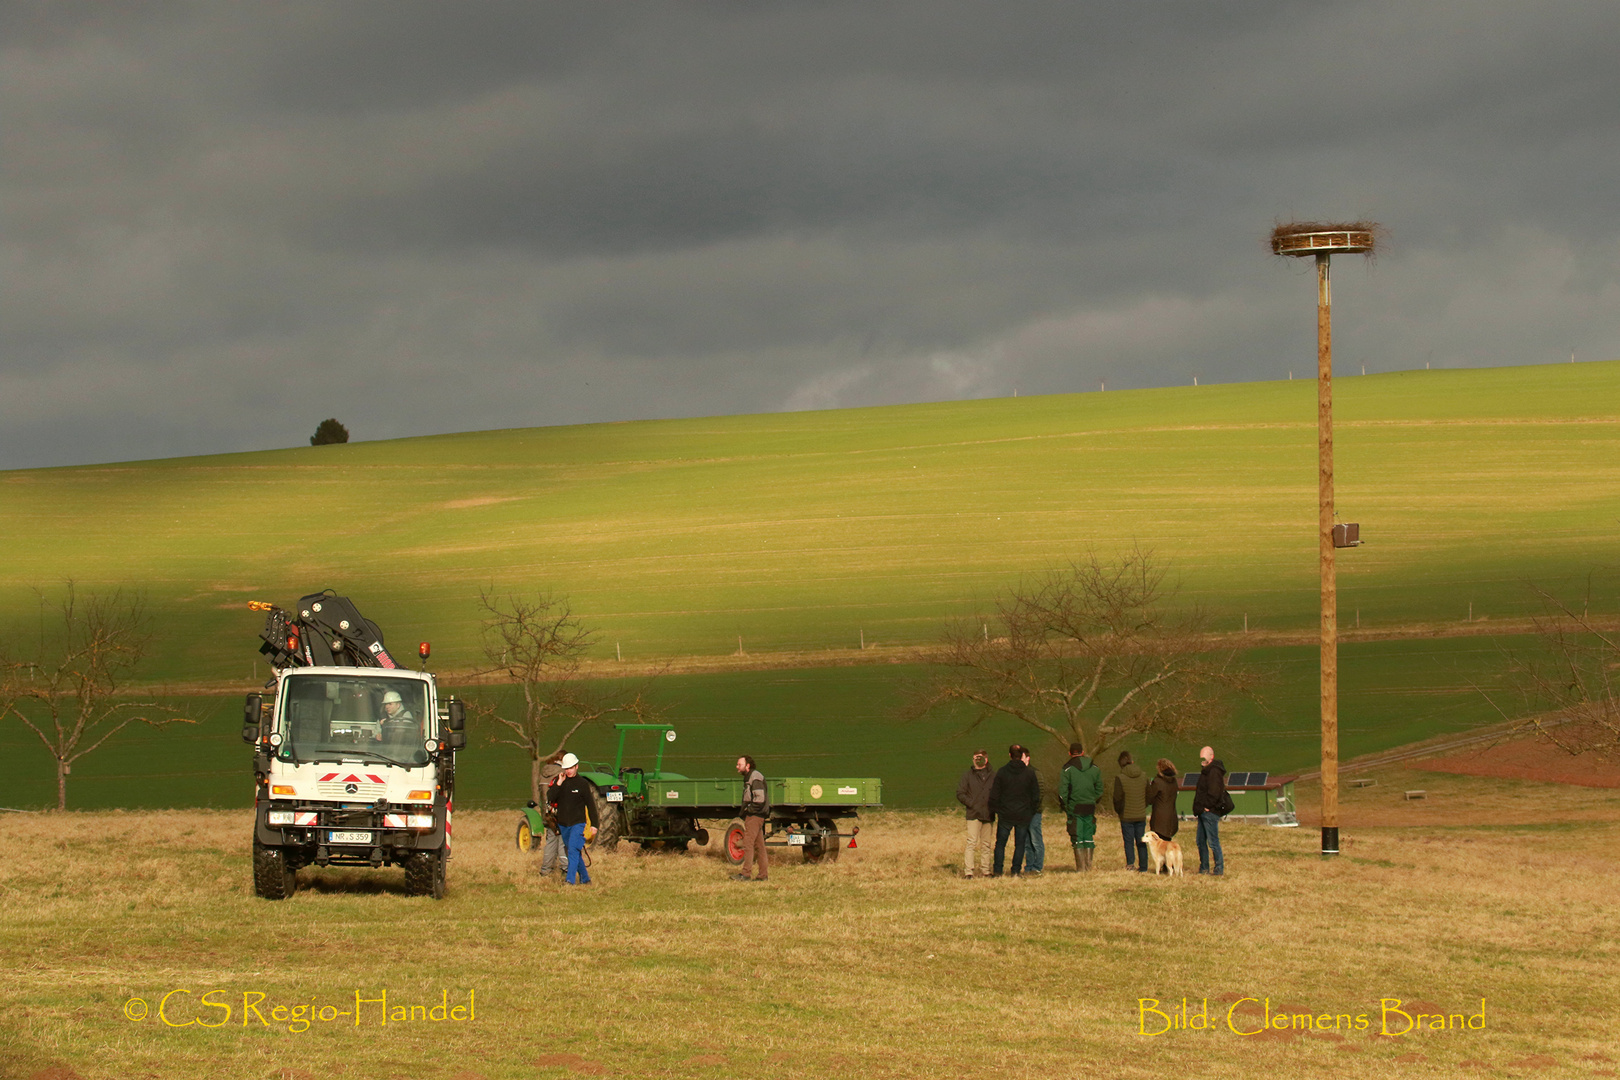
{"x":354,"y":757}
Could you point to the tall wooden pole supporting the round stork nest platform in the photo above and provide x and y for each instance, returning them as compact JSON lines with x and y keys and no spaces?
{"x":1326,"y":545}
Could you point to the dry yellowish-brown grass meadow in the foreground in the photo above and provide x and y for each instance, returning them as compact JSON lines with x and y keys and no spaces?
{"x":884,"y":964}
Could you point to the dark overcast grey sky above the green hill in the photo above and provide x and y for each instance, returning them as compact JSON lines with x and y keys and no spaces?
{"x":223,"y":223}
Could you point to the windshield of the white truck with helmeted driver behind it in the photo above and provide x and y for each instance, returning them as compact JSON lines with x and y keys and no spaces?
{"x":336,"y":718}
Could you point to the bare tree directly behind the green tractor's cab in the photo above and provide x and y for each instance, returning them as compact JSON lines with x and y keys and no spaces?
{"x":539,"y":644}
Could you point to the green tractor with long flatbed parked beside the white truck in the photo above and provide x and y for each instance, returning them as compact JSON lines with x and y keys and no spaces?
{"x":665,"y":810}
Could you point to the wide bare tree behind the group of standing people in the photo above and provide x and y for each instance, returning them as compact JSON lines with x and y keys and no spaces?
{"x":1089,"y":653}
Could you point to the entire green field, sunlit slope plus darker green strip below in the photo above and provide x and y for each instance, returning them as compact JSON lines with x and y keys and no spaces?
{"x":806,"y":534}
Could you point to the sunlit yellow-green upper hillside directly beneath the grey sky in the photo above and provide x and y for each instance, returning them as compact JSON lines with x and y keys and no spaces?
{"x":804,"y":530}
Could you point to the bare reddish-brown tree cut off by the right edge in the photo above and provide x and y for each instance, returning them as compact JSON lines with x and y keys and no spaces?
{"x":1572,"y":694}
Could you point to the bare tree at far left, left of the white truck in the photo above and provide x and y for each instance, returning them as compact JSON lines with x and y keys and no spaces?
{"x":70,"y":692}
